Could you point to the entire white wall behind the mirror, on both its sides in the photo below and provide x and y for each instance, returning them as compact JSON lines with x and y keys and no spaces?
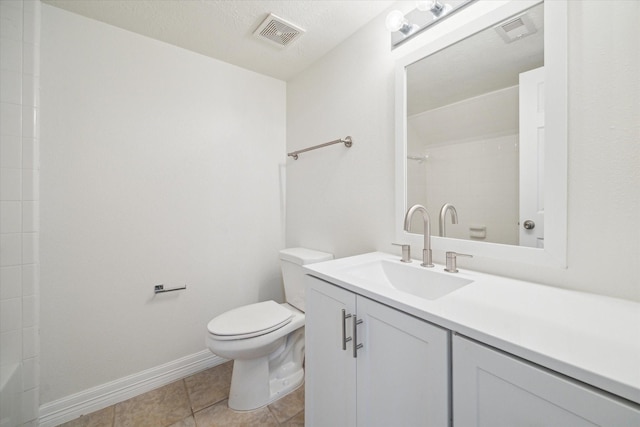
{"x":342,"y":200}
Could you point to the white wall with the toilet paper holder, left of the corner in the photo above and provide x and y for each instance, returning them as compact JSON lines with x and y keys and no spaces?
{"x":159,"y":165}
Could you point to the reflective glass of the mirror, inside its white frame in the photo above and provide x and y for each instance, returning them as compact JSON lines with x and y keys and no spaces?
{"x":475,"y":134}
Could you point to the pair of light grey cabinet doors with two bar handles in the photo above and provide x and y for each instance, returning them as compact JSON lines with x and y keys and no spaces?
{"x":398,"y":375}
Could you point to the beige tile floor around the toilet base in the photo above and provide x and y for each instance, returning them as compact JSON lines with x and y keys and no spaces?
{"x":196,"y":401}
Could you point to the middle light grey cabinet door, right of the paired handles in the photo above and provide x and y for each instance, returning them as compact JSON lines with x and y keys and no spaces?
{"x":403,"y":369}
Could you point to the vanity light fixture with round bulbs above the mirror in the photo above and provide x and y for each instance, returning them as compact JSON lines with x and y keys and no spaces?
{"x":427,"y":13}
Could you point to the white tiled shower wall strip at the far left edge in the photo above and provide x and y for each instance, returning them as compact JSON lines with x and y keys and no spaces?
{"x":19,"y":289}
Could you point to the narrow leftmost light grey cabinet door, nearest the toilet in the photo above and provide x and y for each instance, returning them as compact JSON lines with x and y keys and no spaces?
{"x":330,"y":388}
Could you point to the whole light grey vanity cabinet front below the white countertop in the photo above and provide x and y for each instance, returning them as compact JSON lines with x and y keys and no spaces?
{"x":408,"y":372}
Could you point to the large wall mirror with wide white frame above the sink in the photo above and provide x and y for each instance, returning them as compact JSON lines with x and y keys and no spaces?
{"x":473,"y":132}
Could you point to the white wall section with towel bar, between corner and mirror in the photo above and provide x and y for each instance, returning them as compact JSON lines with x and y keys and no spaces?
{"x":340,"y":200}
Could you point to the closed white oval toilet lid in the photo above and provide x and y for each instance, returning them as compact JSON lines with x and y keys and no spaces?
{"x":250,"y":320}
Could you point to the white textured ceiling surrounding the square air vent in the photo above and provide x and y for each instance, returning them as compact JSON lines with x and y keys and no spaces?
{"x":223,"y":29}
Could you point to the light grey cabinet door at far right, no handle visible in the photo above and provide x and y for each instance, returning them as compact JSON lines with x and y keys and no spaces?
{"x":493,"y":389}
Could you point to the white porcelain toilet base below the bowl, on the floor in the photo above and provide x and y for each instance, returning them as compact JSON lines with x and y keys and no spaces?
{"x":258,"y":382}
